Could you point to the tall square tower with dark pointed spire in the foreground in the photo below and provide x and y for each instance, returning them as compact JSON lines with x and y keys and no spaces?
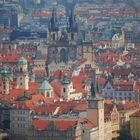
{"x":95,"y":110}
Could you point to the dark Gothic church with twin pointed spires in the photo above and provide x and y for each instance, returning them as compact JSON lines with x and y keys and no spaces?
{"x":62,"y":43}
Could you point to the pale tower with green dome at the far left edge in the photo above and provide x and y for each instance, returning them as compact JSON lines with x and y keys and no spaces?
{"x":5,"y":74}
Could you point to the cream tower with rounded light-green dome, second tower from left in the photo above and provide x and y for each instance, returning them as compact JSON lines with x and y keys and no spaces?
{"x":22,"y":75}
